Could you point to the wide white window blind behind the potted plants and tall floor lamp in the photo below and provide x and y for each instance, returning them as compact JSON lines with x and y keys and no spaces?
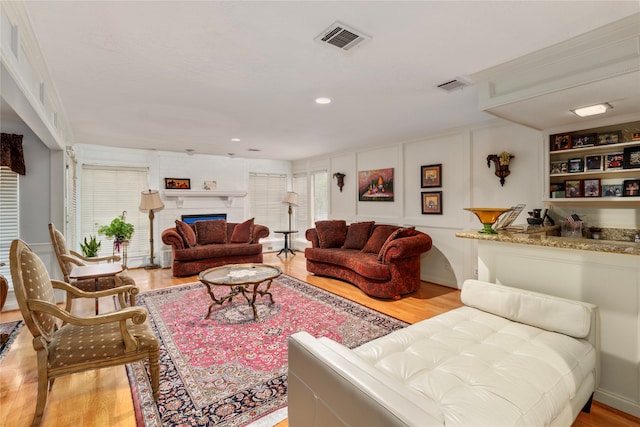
{"x":105,"y":193}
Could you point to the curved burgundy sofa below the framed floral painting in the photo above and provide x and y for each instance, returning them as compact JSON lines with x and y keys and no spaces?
{"x":382,"y":260}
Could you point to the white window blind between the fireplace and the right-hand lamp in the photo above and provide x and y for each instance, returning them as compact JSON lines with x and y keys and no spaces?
{"x":266,"y":193}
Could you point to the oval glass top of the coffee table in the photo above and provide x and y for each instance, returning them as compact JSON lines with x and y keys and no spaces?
{"x":238,"y":274}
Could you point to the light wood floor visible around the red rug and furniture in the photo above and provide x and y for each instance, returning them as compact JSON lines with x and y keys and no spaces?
{"x":103,"y":398}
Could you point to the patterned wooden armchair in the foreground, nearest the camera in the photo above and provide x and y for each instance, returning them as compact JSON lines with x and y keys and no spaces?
{"x":124,"y":336}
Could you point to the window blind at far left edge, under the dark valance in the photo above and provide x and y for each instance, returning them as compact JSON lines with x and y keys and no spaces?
{"x":9,"y":217}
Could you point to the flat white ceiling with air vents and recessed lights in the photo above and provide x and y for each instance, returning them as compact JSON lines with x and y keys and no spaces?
{"x":176,"y":75}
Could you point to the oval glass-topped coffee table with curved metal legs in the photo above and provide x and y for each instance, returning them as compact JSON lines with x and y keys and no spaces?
{"x":243,"y":279}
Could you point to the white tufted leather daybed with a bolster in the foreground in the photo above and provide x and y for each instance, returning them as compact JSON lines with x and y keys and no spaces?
{"x":508,"y":357}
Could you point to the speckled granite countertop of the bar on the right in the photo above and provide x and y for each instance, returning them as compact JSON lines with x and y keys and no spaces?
{"x":521,"y":237}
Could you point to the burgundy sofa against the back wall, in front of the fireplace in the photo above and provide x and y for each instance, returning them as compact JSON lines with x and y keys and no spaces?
{"x":211,"y":243}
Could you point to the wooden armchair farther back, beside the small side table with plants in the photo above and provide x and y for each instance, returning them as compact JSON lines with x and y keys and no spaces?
{"x":69,"y":258}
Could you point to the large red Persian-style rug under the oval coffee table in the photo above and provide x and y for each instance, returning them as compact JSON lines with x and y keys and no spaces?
{"x":230,"y":370}
